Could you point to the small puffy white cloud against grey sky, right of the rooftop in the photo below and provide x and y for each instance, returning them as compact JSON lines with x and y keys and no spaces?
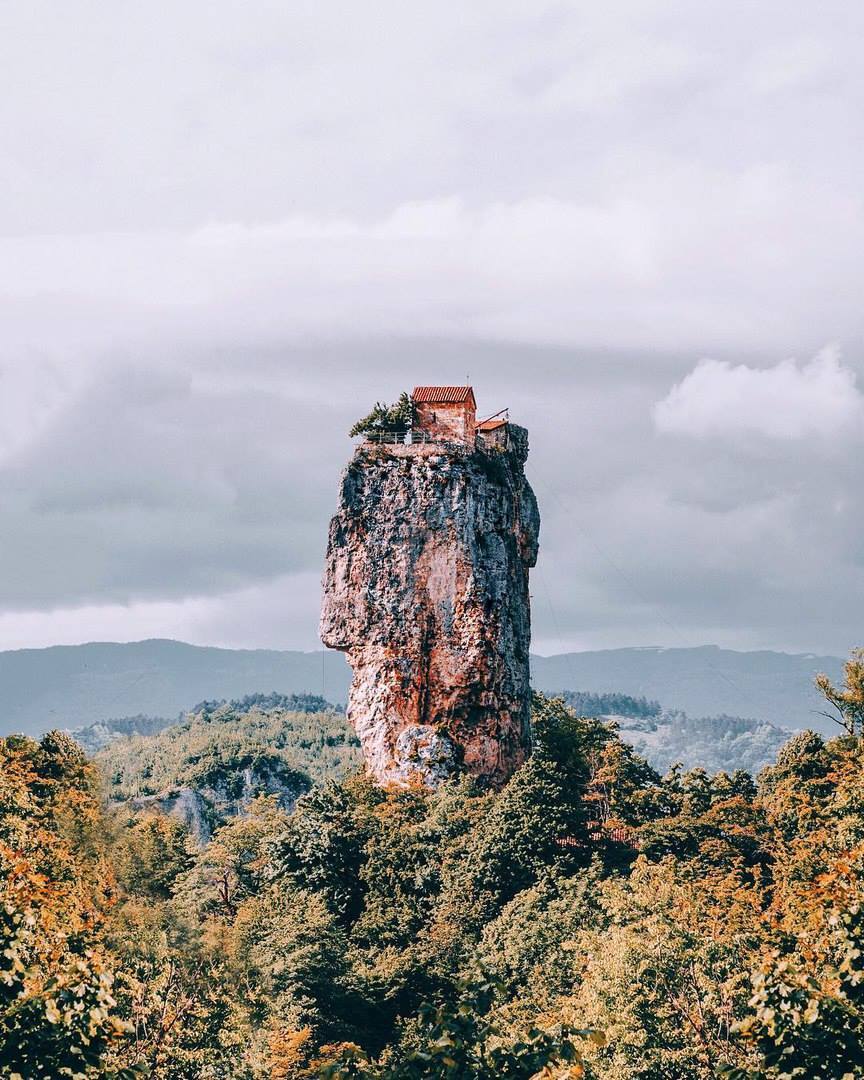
{"x":789,"y":401}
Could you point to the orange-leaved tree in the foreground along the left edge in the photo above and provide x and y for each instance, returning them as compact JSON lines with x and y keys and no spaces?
{"x":58,"y":1010}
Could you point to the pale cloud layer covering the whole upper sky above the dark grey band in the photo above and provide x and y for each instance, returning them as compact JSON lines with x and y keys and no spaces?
{"x":642,"y":174}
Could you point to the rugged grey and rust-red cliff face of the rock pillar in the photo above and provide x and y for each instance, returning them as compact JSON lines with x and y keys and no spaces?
{"x":426,"y":590}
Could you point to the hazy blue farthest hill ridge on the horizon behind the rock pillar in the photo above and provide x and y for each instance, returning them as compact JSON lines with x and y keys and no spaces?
{"x":72,"y":686}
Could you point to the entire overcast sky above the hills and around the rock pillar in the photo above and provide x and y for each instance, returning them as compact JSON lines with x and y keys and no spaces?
{"x":226,"y":228}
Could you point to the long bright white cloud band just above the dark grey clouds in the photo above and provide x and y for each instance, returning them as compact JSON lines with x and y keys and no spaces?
{"x":612,"y":272}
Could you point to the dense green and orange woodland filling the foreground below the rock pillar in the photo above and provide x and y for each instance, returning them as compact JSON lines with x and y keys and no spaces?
{"x":591,"y":920}
